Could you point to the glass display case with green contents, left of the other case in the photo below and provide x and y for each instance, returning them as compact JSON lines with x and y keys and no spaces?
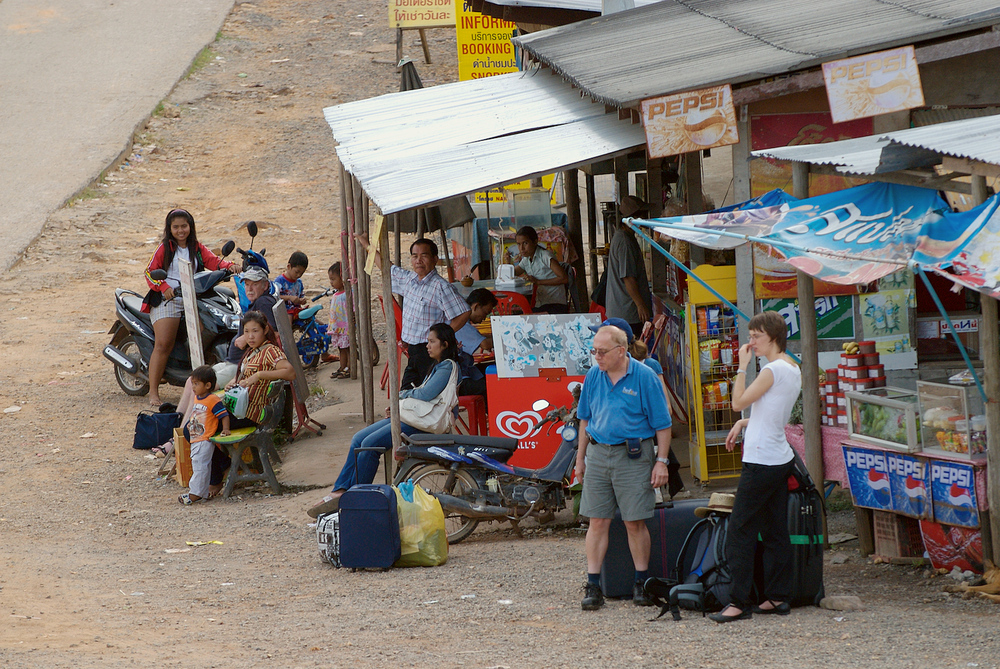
{"x":886,"y":417}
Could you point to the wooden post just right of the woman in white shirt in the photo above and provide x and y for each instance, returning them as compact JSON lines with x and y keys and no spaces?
{"x":808,"y":338}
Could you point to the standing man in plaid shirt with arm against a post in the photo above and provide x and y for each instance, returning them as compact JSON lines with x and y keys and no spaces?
{"x":427,"y":299}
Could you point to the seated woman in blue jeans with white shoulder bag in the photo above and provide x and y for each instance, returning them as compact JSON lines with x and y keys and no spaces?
{"x":443,"y":349}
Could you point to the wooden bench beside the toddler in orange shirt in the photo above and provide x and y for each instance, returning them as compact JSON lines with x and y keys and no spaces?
{"x":257,"y":443}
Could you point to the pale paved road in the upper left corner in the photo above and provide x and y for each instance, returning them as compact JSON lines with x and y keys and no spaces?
{"x":76,"y":78}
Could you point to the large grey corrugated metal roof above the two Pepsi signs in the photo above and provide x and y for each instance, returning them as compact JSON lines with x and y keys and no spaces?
{"x":679,"y":45}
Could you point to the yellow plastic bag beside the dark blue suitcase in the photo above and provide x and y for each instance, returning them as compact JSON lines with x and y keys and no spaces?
{"x":422,"y":537}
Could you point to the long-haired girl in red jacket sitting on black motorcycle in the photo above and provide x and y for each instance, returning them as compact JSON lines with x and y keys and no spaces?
{"x":165,"y":309}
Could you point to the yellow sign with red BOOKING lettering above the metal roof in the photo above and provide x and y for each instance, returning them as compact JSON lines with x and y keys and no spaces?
{"x":484,"y":46}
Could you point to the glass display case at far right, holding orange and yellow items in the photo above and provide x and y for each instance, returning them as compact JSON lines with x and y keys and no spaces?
{"x":952,"y":420}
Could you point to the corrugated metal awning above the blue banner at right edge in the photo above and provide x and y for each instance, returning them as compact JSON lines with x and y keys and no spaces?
{"x":975,"y":138}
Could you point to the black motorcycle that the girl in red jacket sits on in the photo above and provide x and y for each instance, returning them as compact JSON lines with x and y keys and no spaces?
{"x":132,"y":333}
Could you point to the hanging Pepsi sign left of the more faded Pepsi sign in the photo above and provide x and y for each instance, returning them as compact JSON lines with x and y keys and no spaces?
{"x":688,"y":122}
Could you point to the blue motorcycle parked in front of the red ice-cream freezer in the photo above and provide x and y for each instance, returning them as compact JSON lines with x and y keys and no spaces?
{"x":470,"y":477}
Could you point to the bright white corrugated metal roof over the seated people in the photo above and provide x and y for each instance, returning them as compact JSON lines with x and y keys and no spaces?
{"x":420,"y":147}
